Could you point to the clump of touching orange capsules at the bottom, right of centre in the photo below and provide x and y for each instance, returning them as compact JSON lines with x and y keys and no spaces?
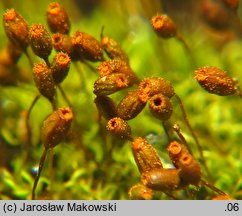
{"x":154,"y":177}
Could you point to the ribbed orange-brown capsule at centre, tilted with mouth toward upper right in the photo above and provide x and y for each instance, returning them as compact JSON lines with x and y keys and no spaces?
{"x":131,"y":105}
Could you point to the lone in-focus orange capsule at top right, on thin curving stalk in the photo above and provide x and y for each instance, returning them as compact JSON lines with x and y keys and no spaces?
{"x":164,"y":26}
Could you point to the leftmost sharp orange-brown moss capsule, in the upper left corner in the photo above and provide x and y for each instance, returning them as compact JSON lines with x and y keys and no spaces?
{"x":16,"y":29}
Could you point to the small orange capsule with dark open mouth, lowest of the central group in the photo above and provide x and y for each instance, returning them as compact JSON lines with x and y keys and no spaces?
{"x":120,"y":128}
